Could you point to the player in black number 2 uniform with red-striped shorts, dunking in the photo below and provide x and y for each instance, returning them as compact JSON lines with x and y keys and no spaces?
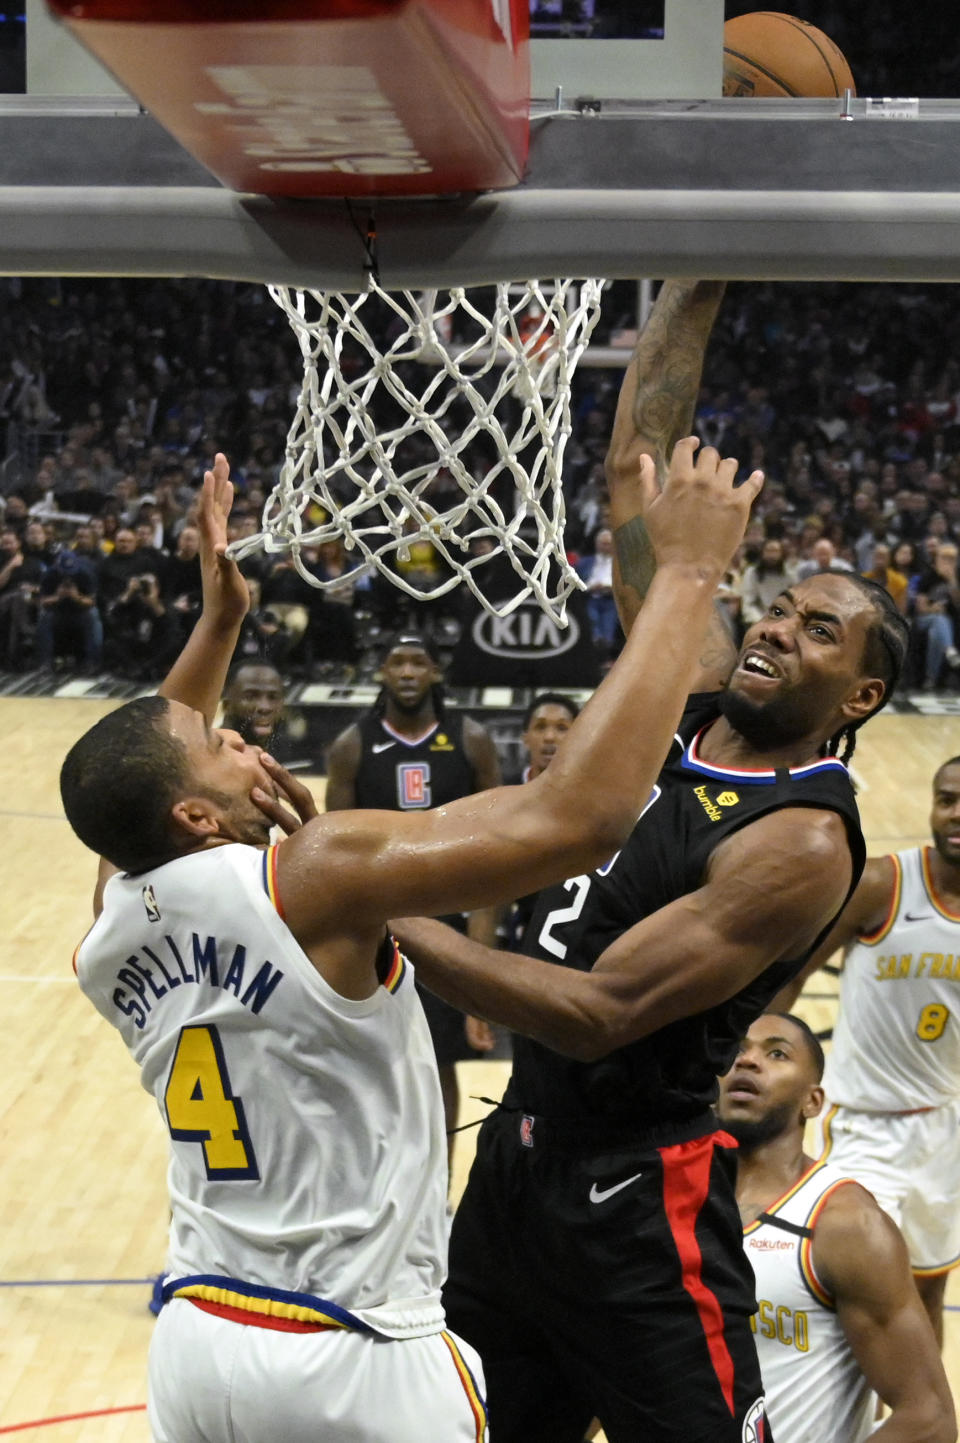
{"x":600,"y":1224}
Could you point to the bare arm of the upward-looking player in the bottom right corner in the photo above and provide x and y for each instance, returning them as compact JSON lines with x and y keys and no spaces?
{"x":861,"y":1258}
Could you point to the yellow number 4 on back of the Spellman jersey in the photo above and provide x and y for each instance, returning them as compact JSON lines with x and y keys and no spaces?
{"x":201,"y":1108}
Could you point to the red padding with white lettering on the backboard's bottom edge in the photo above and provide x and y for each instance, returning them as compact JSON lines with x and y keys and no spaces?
{"x":347,"y":97}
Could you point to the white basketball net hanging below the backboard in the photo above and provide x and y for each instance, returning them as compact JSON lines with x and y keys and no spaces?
{"x":448,"y":426}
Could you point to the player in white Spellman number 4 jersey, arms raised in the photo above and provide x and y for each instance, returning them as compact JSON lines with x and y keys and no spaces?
{"x":279,"y":1030}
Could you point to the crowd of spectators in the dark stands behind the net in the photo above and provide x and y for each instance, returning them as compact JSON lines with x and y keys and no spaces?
{"x":116,"y":395}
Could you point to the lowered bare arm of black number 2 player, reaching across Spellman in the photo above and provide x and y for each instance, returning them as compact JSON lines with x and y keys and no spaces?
{"x":772,"y":888}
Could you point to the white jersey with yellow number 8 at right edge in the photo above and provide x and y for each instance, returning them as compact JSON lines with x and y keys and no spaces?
{"x":897,"y":1041}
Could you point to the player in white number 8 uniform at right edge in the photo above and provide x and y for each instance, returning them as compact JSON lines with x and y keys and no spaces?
{"x":894,"y":1071}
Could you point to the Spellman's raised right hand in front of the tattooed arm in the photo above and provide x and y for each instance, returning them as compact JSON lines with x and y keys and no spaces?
{"x":701,"y":516}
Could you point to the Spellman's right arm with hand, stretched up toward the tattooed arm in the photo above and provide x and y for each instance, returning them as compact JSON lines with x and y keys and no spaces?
{"x":492,"y":848}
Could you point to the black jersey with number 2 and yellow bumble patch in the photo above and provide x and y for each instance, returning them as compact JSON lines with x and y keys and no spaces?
{"x":672,"y":1074}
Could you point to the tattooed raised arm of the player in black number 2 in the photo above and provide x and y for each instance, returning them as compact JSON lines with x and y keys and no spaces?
{"x":656,"y":408}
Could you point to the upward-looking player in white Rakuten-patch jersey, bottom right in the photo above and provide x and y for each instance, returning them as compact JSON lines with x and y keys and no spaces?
{"x":839,"y":1318}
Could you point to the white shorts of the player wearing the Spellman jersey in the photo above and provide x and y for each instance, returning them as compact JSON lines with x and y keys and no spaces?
{"x":219,"y":1382}
